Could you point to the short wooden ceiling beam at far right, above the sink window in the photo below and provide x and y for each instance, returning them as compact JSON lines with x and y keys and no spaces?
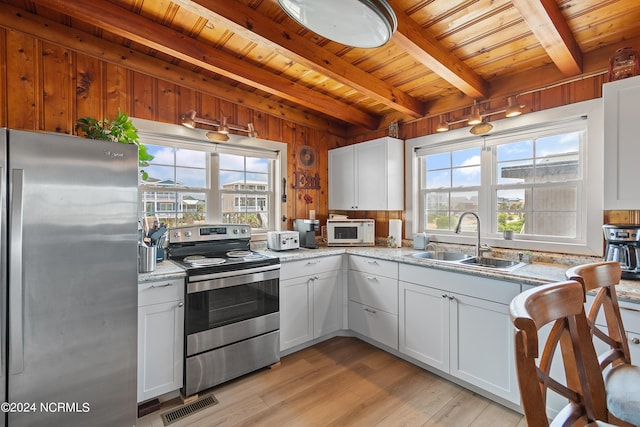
{"x":547,"y":23}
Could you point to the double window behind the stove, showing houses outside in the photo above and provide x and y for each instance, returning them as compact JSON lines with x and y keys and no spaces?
{"x":188,"y":186}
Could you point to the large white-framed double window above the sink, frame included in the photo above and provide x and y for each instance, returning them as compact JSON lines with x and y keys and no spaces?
{"x":529,"y":177}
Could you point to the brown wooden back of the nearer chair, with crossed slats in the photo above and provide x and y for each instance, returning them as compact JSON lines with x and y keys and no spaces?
{"x":562,"y":306}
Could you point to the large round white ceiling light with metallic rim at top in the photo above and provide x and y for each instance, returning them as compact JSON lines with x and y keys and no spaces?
{"x":357,"y":23}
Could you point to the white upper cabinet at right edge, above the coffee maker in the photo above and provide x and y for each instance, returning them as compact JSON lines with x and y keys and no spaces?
{"x":621,"y":100}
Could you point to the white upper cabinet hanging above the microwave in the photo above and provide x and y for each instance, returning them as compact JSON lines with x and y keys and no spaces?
{"x":367,"y":176}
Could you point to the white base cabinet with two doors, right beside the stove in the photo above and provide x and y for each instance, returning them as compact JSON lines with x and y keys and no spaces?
{"x":309,"y":300}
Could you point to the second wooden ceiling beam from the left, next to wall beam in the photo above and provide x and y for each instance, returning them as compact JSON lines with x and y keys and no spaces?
{"x":126,"y":24}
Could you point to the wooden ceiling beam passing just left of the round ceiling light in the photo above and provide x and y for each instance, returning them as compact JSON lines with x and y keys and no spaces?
{"x":250,"y":24}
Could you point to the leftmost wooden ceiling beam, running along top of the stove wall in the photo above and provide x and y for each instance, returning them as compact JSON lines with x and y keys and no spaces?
{"x":86,"y":44}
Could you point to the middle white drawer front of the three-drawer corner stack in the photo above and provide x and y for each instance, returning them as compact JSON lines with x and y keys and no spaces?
{"x":376,"y":291}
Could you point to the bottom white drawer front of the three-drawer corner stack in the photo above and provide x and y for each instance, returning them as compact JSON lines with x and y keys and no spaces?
{"x":375,"y":324}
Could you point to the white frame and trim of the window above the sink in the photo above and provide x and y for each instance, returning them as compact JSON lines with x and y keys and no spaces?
{"x":593,"y":176}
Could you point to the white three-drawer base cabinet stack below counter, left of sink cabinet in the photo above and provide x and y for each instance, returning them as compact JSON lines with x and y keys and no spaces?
{"x":373,"y":299}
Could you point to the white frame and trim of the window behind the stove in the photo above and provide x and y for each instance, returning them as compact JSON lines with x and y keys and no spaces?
{"x":157,"y":133}
